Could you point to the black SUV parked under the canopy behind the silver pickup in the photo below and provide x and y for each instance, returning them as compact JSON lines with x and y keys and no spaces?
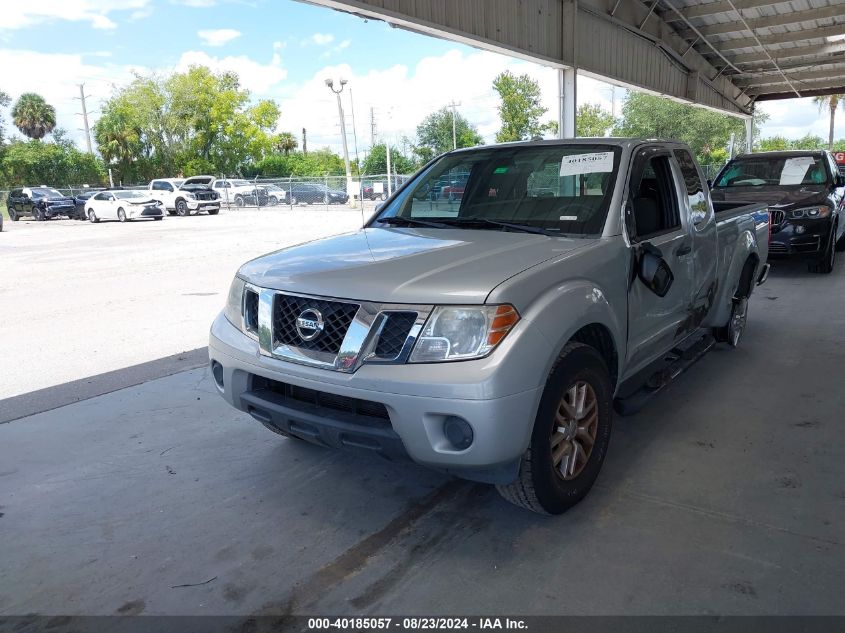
{"x":805,"y":193}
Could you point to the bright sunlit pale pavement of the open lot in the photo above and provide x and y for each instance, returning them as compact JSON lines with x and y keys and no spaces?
{"x":79,"y":299}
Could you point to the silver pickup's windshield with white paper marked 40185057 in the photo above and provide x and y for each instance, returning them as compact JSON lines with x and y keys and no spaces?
{"x":557,"y":189}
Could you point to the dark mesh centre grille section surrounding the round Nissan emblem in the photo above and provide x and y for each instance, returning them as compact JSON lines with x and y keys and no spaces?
{"x":337,"y":317}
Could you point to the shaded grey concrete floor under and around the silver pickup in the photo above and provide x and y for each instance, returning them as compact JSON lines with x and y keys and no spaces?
{"x":726,"y":495}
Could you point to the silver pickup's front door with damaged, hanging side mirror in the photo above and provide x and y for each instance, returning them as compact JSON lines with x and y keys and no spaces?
{"x":656,"y":219}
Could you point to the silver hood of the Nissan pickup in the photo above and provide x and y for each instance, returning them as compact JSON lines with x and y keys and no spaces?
{"x":403,"y":265}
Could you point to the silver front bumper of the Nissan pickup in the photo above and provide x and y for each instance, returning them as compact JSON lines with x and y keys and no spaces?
{"x":416,"y":399}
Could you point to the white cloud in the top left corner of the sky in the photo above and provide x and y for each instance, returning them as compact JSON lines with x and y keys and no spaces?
{"x":17,"y":15}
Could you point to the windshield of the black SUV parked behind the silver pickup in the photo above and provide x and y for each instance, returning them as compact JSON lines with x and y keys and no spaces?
{"x":773,"y":170}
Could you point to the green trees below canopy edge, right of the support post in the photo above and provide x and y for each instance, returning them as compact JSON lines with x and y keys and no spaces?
{"x":706,"y":132}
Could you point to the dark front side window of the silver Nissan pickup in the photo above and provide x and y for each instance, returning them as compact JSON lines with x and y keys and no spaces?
{"x":654,"y":200}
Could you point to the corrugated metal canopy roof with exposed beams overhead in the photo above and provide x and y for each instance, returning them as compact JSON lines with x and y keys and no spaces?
{"x":721,"y":54}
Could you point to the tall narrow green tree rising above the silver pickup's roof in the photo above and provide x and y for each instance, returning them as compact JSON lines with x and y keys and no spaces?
{"x":520,"y":109}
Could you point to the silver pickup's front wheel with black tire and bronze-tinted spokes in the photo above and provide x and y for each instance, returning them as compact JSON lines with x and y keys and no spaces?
{"x":541,"y":486}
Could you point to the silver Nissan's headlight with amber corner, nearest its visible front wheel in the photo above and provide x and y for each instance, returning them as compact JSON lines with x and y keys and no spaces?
{"x":463,"y":332}
